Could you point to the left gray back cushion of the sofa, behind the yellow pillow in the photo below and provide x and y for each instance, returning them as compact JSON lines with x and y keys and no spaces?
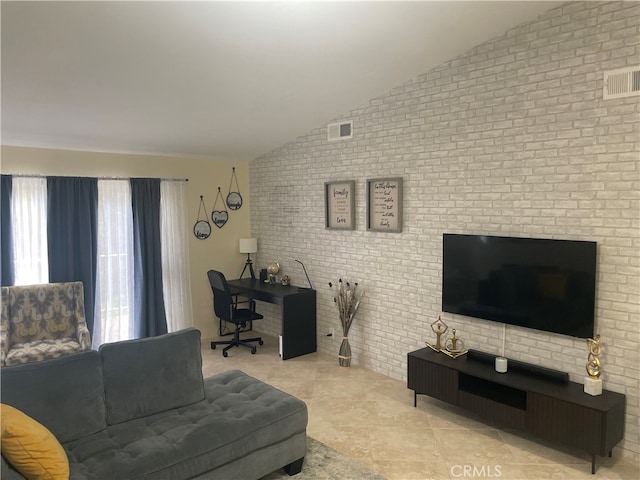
{"x":70,"y":393}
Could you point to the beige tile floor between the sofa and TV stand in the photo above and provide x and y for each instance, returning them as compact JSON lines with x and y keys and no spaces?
{"x":371,"y":419}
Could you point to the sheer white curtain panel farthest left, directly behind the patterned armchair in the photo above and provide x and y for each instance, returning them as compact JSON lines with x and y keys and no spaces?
{"x":29,"y":223}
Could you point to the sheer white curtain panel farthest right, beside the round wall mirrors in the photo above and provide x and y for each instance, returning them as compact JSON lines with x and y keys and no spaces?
{"x":175,"y":255}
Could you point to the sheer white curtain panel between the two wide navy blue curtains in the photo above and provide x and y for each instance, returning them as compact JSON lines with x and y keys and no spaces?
{"x":114,"y":284}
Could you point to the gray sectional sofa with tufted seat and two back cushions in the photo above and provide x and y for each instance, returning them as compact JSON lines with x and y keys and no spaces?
{"x":140,"y":409}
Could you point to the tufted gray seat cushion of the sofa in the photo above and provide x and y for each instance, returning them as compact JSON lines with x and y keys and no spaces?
{"x":240,"y":415}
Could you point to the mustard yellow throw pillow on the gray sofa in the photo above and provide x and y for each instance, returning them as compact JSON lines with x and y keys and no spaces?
{"x":31,"y":448}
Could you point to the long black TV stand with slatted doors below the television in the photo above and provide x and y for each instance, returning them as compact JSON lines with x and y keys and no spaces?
{"x":528,"y":397}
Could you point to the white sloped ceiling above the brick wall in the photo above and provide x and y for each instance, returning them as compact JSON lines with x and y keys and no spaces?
{"x":226,"y":80}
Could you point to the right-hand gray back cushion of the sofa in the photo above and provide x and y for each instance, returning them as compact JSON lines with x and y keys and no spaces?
{"x":151,"y":375}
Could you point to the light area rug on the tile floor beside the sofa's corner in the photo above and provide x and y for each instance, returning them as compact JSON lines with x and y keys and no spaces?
{"x":324,"y":463}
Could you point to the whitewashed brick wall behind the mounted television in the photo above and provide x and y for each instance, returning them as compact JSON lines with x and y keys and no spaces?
{"x":512,"y":138}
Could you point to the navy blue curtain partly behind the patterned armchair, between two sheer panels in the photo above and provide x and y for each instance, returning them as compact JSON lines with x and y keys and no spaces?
{"x":72,"y":226}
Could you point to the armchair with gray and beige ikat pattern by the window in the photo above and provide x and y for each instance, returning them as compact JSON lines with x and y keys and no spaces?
{"x":39,"y":322}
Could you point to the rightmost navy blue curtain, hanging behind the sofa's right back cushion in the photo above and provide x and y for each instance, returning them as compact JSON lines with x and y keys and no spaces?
{"x":150,"y":318}
